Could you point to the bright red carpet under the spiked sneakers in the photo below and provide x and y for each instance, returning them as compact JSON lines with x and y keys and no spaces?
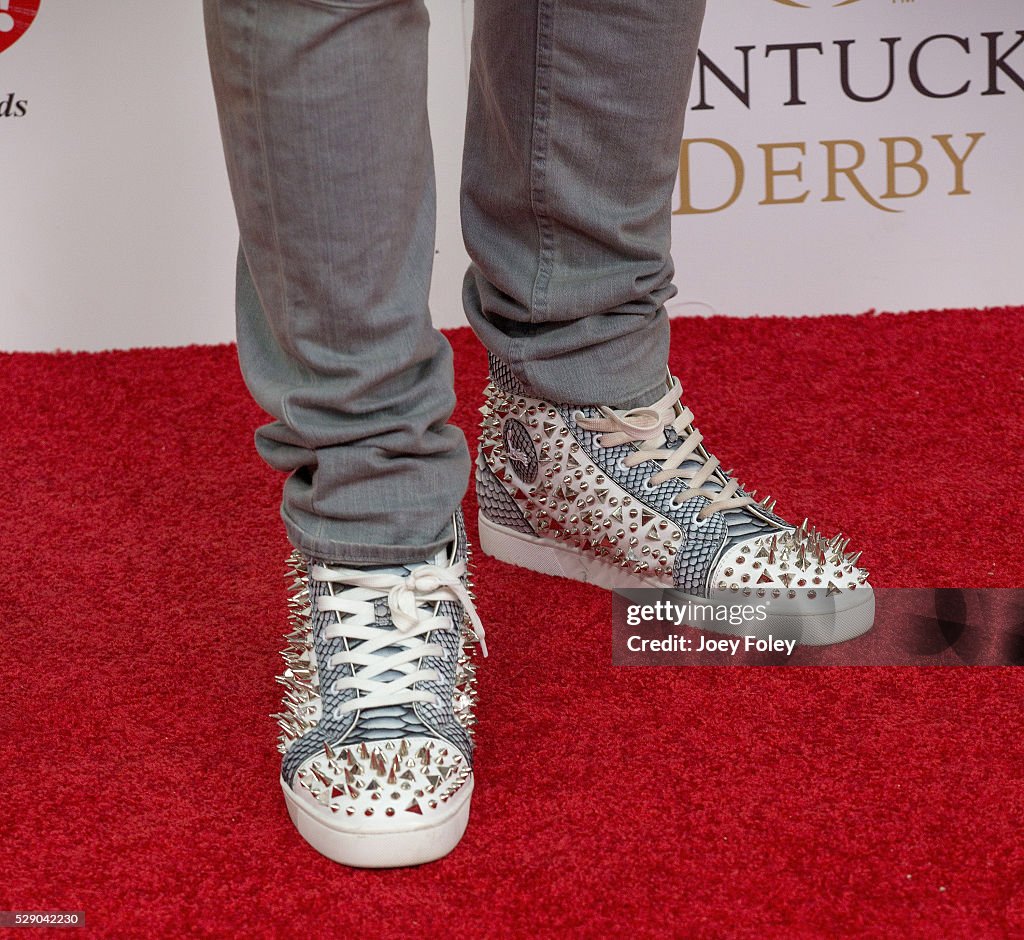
{"x":143,"y":599}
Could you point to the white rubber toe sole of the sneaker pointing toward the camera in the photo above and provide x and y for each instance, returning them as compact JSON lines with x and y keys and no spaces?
{"x":351,"y":843}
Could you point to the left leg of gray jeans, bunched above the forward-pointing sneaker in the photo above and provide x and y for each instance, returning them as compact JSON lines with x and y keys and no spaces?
{"x":324,"y":119}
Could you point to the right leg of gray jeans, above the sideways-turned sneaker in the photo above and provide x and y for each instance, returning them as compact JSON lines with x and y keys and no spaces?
{"x":575,"y":122}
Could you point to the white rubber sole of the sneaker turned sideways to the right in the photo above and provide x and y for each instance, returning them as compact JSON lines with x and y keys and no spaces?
{"x":809,"y":623}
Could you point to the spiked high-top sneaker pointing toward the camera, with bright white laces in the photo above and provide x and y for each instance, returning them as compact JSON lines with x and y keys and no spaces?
{"x":377,"y":728}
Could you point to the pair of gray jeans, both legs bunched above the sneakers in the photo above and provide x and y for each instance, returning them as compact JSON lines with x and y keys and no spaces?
{"x":576,"y":116}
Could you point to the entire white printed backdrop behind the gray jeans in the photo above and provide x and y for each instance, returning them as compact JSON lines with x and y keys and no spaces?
{"x":117,"y":229}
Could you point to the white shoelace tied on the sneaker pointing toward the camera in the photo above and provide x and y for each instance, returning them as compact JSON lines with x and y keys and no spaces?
{"x":406,"y":594}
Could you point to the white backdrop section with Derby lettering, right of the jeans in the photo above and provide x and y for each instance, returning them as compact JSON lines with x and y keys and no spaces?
{"x":932,"y":250}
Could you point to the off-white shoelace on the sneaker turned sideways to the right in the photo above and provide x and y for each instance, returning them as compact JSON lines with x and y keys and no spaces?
{"x":647,"y":426}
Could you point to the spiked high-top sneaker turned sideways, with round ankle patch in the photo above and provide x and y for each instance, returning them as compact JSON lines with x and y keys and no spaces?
{"x":632,"y":499}
